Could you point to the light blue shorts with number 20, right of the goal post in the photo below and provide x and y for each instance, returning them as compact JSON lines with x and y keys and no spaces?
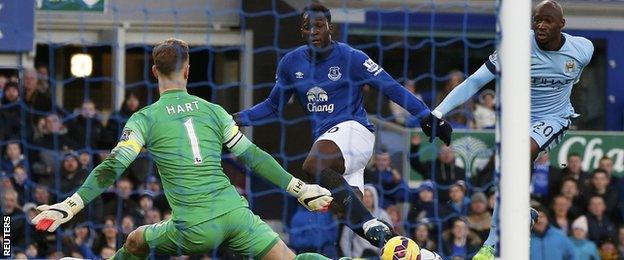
{"x":548,"y":132}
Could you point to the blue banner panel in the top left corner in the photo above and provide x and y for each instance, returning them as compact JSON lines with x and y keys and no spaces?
{"x":17,"y":25}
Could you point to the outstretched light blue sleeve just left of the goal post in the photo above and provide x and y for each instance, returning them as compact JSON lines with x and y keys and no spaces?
{"x":466,"y":89}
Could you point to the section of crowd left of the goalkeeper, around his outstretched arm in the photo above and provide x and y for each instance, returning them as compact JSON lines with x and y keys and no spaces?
{"x":47,"y":153}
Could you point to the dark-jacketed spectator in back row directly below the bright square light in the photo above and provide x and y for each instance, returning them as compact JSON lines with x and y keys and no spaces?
{"x":86,"y":128}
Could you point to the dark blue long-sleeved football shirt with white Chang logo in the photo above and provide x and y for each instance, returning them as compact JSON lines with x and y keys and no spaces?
{"x":330,"y":89}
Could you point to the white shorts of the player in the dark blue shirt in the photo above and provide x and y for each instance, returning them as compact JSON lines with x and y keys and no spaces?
{"x":356,"y":144}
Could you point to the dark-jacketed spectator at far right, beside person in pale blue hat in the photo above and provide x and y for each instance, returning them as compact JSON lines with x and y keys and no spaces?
{"x":600,"y":226}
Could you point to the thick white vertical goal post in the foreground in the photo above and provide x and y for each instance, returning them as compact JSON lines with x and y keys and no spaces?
{"x":514,"y":59}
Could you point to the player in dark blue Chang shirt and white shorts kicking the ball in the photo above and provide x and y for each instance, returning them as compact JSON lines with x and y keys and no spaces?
{"x":327,"y":77}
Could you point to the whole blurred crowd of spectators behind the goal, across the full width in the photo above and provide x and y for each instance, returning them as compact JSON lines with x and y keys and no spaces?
{"x":47,"y":152}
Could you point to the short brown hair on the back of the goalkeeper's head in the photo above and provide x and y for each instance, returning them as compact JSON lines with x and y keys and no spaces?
{"x":169,"y":55}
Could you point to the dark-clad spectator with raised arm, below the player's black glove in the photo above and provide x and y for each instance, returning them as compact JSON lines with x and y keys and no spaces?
{"x":446,"y":172}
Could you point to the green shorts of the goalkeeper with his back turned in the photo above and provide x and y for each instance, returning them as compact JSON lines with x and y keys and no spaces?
{"x":240,"y":230}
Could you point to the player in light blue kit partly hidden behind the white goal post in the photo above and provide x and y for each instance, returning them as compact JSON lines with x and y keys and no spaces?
{"x":557,"y":60}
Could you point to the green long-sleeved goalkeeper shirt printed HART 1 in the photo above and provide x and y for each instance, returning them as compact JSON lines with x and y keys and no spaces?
{"x":185,"y":135}
